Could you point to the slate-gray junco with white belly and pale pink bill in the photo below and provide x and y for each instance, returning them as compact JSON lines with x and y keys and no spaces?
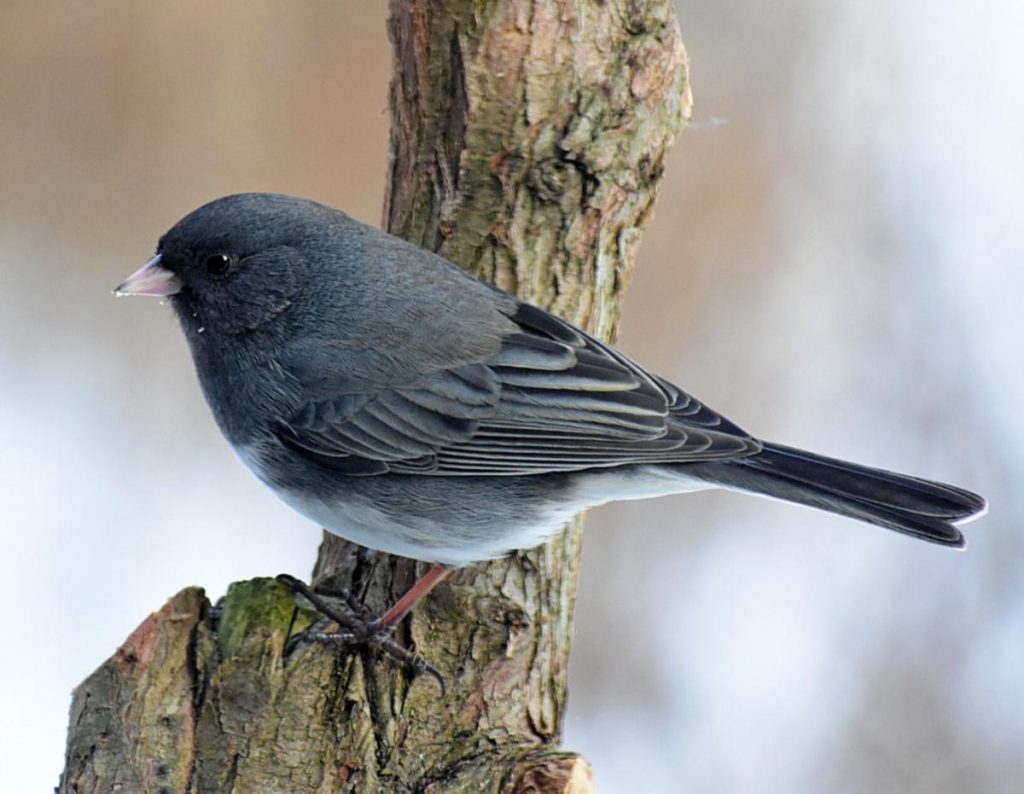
{"x":410,"y":408}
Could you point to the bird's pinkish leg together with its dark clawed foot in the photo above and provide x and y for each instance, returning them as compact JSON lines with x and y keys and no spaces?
{"x":357,"y":630}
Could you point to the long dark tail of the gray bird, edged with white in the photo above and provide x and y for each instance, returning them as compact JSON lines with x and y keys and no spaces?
{"x":919,"y":508}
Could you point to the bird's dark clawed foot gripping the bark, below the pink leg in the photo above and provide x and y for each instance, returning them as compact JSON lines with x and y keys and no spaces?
{"x":356,"y":631}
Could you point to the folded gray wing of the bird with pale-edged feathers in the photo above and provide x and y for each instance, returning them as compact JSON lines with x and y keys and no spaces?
{"x":552,"y":399}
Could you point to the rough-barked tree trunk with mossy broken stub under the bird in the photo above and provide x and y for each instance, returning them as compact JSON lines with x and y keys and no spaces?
{"x":527,"y":145}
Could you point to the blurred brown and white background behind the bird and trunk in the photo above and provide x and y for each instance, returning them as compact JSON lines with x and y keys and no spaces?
{"x":836,"y":264}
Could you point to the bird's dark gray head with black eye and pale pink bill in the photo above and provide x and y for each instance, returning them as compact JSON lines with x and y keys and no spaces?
{"x":237,"y":264}
